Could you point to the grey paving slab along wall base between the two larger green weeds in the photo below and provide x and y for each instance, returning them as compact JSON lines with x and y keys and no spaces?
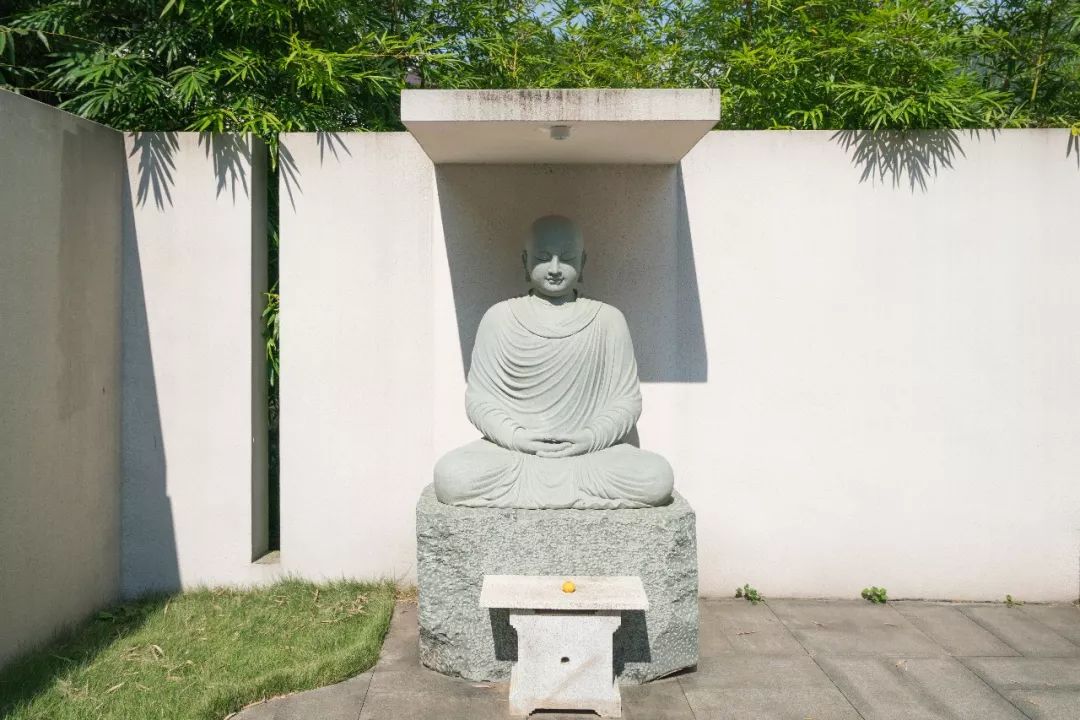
{"x":853,"y":628}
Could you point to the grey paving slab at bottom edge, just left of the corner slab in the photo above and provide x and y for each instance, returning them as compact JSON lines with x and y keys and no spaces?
{"x":916,"y":689}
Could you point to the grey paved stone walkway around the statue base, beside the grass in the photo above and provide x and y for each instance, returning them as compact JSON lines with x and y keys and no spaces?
{"x":804,"y":660}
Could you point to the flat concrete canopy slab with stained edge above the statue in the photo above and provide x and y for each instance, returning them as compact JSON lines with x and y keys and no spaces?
{"x":515,"y":127}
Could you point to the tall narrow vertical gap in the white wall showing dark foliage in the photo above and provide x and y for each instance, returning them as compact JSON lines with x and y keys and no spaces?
{"x":274,"y":474}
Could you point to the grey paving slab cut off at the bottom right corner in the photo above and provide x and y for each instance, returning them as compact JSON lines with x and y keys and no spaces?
{"x":1044,"y":688}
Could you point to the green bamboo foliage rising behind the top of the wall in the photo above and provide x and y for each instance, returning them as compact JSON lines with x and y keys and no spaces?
{"x":272,"y":66}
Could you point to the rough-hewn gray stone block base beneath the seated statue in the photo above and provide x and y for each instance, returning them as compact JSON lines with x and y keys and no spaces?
{"x":457,"y":547}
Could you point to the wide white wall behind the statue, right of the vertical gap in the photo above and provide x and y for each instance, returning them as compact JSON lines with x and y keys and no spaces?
{"x":857,"y":379}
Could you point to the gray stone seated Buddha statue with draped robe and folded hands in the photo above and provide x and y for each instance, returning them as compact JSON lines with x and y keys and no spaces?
{"x":553,"y":388}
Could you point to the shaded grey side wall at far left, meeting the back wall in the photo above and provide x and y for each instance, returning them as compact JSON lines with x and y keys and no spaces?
{"x":60,"y":383}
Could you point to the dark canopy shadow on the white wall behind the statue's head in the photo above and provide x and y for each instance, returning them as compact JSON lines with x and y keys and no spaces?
{"x":638,"y":238}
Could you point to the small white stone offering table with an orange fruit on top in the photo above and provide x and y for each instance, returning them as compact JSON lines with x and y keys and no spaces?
{"x":564,"y":639}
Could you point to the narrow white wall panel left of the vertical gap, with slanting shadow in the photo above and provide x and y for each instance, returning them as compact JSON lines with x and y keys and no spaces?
{"x":194,"y":372}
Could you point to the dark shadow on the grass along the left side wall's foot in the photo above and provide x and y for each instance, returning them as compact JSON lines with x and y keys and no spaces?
{"x":35,"y":672}
